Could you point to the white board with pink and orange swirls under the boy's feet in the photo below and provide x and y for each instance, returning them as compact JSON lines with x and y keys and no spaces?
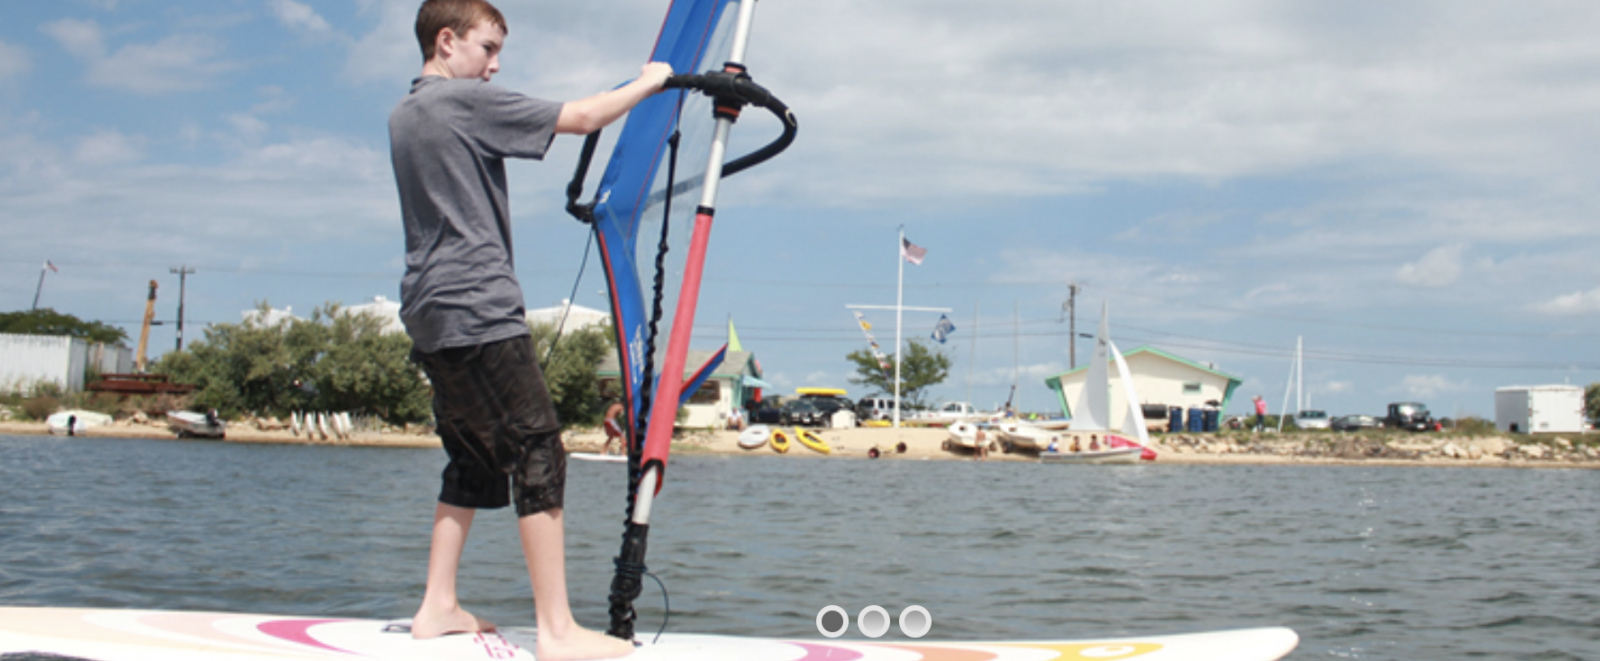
{"x":186,"y":636}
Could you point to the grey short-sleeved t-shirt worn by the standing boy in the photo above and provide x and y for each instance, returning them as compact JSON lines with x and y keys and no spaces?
{"x":449,"y":142}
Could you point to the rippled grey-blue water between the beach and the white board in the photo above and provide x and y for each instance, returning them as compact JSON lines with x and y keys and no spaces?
{"x":1364,"y":563}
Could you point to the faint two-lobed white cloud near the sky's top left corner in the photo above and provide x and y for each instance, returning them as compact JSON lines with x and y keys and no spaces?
{"x":188,"y":62}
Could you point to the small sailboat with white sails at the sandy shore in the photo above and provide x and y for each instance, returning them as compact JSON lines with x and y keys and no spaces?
{"x":1092,"y":414}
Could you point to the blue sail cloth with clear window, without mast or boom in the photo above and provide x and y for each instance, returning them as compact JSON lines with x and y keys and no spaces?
{"x":694,"y":38}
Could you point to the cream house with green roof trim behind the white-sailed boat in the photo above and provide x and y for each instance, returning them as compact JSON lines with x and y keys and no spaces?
{"x":1159,"y":377}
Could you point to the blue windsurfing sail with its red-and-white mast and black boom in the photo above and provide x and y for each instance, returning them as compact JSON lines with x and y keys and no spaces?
{"x":642,"y":194}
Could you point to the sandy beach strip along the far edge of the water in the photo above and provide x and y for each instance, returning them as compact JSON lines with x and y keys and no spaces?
{"x":926,"y":444}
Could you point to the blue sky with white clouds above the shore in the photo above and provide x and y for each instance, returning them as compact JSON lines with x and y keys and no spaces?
{"x":1407,"y":188}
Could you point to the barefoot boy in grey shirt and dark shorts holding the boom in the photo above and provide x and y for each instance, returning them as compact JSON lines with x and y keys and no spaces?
{"x":463,"y":308}
